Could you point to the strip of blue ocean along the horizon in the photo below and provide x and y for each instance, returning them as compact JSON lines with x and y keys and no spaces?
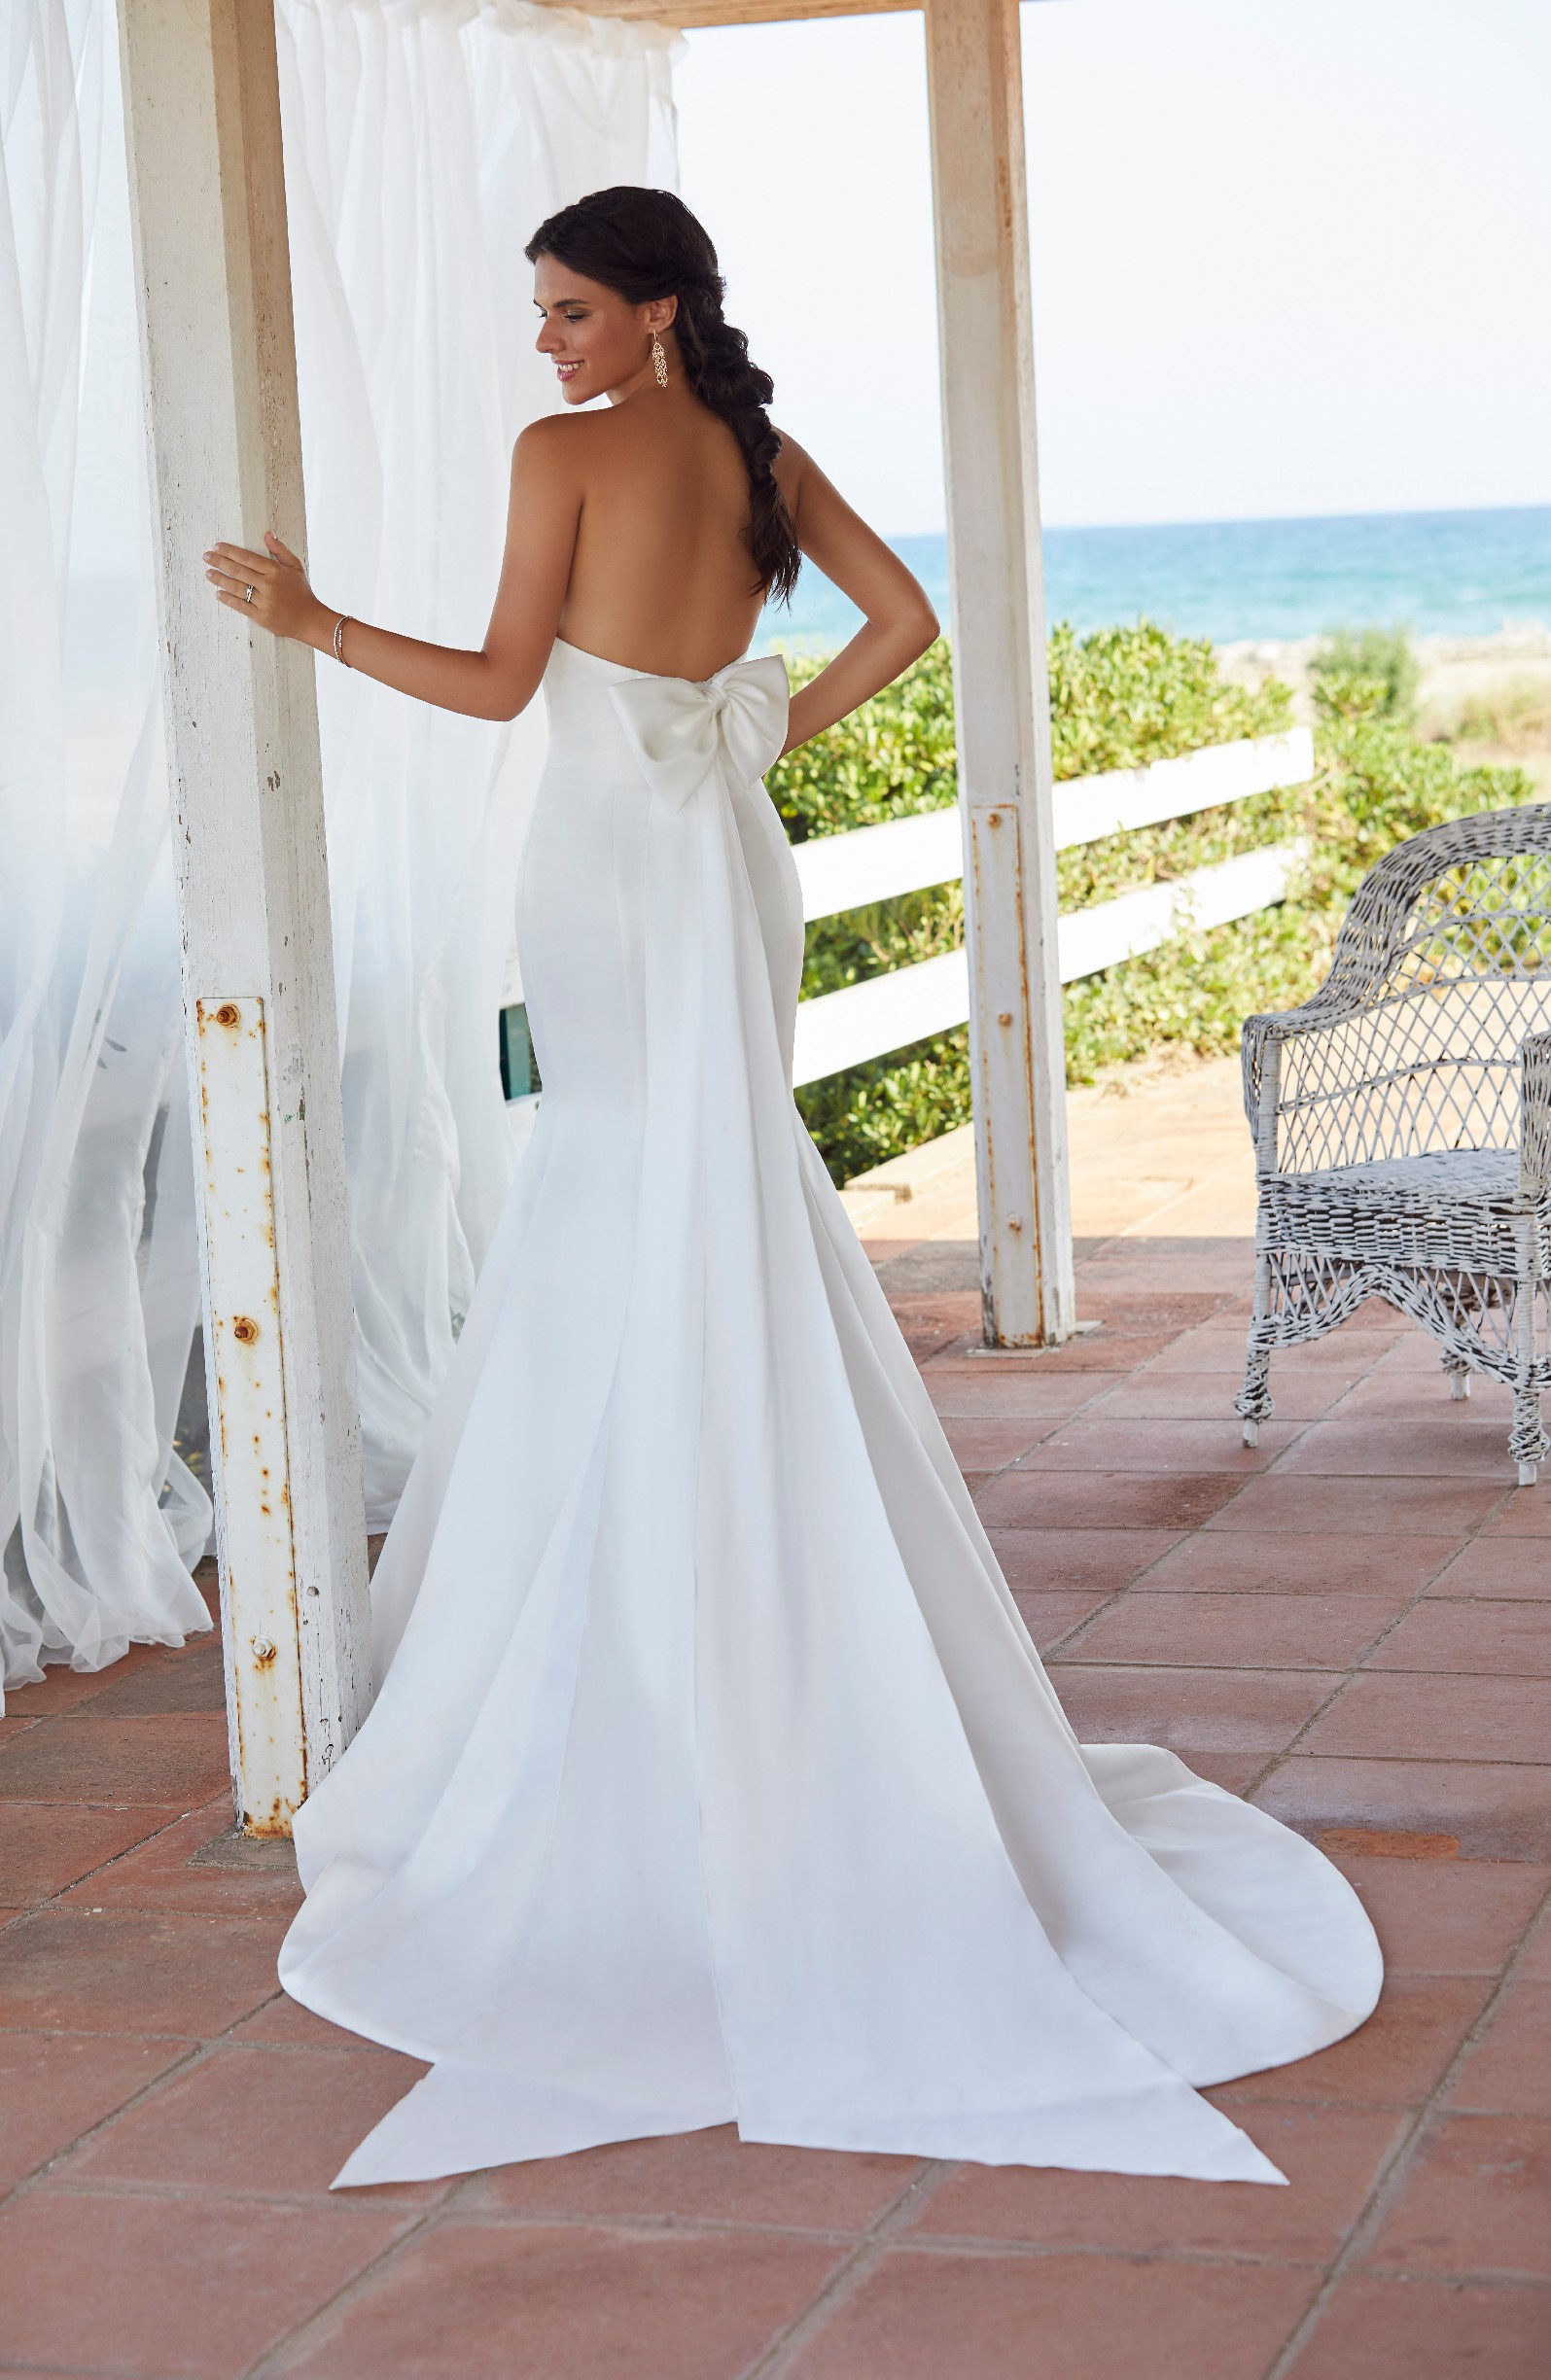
{"x":1428,"y":572}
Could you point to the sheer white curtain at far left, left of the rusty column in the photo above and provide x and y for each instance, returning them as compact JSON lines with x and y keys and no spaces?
{"x":99,"y":1286}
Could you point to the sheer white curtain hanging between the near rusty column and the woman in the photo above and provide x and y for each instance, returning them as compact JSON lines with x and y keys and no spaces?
{"x":425,"y":146}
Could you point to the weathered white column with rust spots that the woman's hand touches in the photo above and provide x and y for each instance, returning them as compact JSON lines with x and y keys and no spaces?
{"x":218,"y":346}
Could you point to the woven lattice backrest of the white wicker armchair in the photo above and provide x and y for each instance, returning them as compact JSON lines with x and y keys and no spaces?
{"x":1440,"y":972}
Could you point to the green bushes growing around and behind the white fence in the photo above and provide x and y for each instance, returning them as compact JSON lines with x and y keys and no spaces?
{"x":1374,"y":787}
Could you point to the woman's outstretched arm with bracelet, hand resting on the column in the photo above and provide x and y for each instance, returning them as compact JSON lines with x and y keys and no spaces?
{"x":503,"y":677}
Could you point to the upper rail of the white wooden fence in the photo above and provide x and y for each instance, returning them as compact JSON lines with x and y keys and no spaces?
{"x":881,"y":863}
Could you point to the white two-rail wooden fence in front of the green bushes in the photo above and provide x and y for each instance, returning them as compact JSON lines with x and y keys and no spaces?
{"x":881,"y":863}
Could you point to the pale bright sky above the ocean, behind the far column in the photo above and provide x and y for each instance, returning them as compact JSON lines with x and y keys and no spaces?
{"x":1291,"y":256}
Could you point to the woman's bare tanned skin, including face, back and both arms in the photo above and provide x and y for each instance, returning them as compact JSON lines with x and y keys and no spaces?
{"x":629,"y":534}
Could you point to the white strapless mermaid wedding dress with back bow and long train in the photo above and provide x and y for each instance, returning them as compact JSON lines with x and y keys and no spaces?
{"x":712,"y":1774}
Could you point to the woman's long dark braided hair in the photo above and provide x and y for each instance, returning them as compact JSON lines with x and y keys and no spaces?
{"x":646,"y":244}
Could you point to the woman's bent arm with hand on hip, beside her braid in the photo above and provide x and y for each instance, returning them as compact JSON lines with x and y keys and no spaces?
{"x":900,"y":622}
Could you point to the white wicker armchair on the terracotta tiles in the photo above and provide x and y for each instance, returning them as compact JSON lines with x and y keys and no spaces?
{"x":1402,"y":1120}
